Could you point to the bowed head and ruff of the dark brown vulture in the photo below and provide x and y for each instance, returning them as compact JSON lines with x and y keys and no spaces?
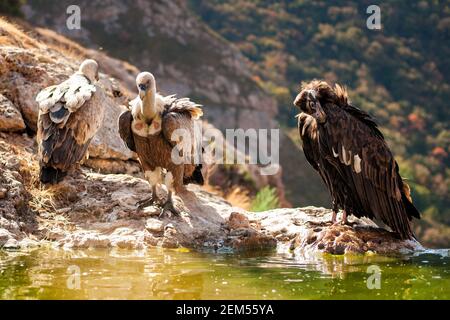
{"x":315,"y":94}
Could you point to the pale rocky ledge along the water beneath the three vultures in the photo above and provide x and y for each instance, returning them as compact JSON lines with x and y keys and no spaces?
{"x":93,"y":210}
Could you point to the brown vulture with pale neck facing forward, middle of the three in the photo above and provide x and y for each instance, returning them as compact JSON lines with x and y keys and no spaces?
{"x":148,"y":130}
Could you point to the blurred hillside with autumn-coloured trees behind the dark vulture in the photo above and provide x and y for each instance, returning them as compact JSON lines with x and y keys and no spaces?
{"x":400,"y":74}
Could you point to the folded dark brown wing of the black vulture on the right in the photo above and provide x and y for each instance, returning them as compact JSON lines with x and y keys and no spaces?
{"x":373,"y":178}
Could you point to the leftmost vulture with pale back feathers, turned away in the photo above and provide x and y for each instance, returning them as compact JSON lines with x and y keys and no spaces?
{"x":70,"y":114}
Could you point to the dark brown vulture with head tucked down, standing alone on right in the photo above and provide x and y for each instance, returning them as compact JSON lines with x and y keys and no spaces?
{"x":344,"y":144}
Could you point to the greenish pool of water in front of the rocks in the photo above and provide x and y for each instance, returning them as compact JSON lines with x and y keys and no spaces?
{"x":179,"y":274}
